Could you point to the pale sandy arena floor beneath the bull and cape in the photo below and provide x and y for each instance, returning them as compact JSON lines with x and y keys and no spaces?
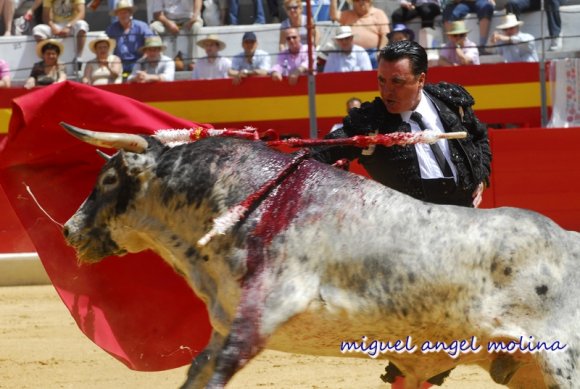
{"x":41,"y":347}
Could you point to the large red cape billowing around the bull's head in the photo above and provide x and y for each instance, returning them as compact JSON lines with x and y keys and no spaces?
{"x":134,"y":307}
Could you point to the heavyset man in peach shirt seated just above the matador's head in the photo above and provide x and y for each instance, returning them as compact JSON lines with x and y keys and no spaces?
{"x":369,"y":24}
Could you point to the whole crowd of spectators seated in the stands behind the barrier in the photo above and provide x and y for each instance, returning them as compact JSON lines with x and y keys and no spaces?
{"x":132,"y":50}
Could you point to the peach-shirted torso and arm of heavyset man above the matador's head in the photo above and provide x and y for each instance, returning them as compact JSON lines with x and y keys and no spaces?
{"x":369,"y":29}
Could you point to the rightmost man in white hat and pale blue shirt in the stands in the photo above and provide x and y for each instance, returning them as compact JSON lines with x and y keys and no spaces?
{"x":514,"y":45}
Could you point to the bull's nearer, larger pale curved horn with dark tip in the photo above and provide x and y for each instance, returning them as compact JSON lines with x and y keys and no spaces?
{"x":127,"y":142}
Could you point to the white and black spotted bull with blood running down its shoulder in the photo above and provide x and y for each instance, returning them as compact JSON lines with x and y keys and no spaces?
{"x":328,"y":256}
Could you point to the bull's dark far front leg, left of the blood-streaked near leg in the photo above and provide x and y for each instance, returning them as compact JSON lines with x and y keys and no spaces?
{"x":203,"y":364}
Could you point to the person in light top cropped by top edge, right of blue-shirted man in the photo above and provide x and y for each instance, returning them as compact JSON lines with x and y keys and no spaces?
{"x":172,"y":16}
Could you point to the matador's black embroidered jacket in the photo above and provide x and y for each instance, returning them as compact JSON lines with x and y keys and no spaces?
{"x":397,"y":167}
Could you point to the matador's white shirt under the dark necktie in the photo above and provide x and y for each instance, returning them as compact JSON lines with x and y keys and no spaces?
{"x":428,"y":165}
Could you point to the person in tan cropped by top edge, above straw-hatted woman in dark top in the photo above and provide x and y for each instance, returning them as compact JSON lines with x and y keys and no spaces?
{"x":63,"y":18}
